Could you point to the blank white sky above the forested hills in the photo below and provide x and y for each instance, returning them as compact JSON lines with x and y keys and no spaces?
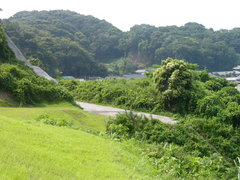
{"x":216,"y":14}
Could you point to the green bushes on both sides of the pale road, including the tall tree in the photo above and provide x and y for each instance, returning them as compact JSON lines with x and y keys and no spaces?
{"x":205,"y":142}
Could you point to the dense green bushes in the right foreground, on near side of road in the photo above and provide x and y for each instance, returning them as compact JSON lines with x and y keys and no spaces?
{"x":192,"y":149}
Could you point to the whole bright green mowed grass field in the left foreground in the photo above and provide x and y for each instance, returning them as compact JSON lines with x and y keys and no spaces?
{"x":34,"y":150}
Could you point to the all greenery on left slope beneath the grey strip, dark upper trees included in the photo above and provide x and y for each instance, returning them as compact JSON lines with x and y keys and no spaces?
{"x":22,"y":83}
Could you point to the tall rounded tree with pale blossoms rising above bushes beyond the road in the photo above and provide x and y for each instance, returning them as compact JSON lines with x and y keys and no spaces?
{"x":173,"y":81}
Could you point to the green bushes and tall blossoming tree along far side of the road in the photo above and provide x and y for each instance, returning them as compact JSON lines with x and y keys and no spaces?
{"x":176,"y":87}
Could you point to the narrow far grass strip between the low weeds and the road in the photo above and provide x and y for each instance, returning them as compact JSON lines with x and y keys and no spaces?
{"x":80,"y":118}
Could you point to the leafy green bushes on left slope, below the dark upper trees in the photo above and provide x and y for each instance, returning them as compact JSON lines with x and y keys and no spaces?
{"x":27,"y":88}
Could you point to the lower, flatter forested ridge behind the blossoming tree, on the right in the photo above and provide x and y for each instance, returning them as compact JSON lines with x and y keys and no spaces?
{"x":214,"y":50}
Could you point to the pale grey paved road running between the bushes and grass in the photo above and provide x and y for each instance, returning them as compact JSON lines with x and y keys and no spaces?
{"x":110,"y":111}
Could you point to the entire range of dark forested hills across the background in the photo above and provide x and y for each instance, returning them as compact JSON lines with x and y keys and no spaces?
{"x":78,"y":45}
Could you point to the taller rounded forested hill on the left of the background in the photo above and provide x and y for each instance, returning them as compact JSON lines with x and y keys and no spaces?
{"x":65,"y":41}
